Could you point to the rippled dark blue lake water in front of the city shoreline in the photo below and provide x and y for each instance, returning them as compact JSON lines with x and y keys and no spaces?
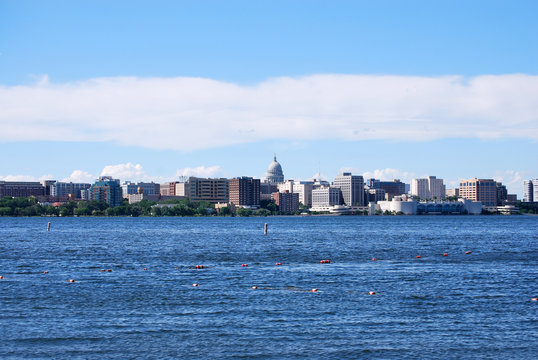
{"x":457,"y":306}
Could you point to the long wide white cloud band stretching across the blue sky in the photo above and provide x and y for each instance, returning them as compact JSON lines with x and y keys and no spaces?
{"x":194,"y":113}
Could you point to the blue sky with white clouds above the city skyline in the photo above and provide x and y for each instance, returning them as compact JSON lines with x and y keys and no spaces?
{"x":151,"y":91}
